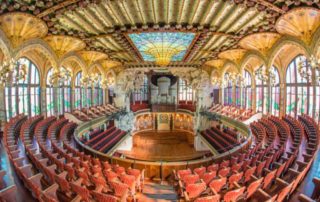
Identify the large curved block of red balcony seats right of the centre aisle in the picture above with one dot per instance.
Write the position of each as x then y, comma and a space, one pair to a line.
268, 171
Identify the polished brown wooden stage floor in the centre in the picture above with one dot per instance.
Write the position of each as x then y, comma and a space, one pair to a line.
163, 146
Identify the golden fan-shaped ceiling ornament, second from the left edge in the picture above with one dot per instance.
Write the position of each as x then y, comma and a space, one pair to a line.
64, 44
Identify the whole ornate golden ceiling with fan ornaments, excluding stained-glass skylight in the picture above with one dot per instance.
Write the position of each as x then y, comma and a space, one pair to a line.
100, 30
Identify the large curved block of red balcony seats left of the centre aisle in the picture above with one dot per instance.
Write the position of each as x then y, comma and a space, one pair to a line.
57, 171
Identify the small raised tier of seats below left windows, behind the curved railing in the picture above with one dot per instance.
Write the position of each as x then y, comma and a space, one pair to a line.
87, 114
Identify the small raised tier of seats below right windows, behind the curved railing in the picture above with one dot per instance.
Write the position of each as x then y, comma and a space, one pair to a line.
234, 112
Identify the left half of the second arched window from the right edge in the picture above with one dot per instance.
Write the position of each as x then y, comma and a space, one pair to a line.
262, 102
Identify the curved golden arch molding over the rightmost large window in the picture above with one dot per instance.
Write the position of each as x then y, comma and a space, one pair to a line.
280, 44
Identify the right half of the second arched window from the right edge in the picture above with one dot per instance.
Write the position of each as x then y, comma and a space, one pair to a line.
275, 93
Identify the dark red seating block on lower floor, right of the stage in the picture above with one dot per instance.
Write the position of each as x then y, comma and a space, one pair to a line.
220, 140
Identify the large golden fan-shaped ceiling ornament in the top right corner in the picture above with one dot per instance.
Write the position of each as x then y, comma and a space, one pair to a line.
299, 22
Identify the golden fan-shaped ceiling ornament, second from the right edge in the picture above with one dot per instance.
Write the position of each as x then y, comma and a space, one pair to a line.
261, 42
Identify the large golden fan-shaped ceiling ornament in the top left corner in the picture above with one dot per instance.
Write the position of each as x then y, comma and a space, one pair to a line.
20, 27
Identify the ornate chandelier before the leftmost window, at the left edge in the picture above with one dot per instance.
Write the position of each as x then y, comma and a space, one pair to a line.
12, 71
